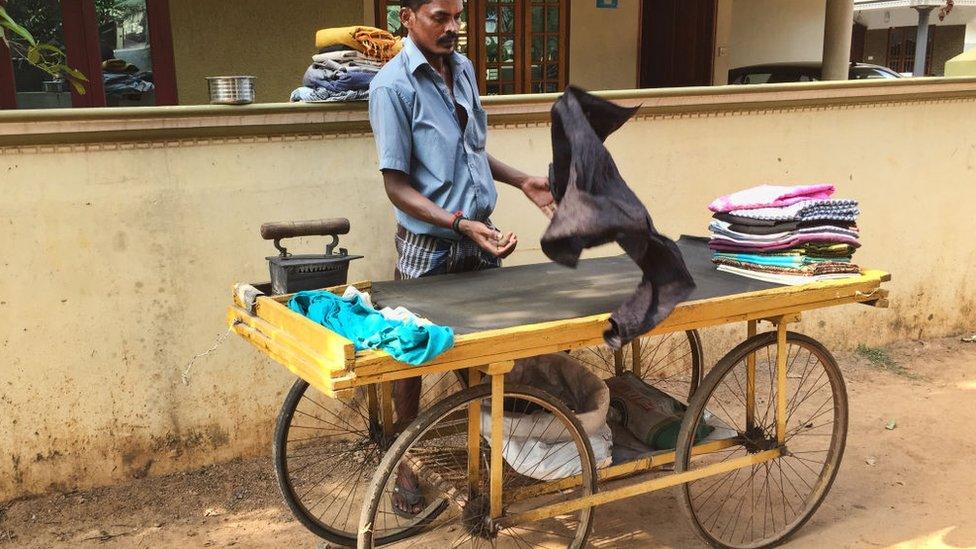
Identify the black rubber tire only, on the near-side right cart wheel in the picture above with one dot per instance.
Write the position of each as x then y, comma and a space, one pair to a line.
697, 407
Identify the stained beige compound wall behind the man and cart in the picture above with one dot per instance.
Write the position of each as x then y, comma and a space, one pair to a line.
118, 260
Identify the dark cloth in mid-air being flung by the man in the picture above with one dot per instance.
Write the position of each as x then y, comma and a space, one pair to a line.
595, 206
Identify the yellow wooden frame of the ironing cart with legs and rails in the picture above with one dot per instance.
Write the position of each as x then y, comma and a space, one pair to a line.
331, 364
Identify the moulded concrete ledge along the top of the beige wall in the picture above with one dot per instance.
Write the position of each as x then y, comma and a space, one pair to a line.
148, 124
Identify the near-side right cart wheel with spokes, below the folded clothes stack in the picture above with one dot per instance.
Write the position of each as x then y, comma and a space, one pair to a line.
762, 505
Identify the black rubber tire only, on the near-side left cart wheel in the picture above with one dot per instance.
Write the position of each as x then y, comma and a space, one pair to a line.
426, 419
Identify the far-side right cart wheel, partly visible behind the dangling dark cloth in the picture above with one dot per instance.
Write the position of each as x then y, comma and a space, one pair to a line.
671, 362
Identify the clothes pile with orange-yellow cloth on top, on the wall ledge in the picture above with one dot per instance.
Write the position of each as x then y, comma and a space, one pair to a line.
347, 61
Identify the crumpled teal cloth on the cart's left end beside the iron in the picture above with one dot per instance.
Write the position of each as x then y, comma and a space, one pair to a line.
360, 323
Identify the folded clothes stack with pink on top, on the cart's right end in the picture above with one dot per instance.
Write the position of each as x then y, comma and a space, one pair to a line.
785, 235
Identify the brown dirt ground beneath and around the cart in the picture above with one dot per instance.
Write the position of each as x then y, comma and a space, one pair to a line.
910, 486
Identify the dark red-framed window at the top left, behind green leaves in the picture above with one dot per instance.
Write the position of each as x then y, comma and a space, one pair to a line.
124, 48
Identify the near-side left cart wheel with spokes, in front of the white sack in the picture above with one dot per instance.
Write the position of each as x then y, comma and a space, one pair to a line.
435, 449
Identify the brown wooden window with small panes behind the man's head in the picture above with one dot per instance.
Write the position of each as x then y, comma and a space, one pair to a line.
517, 46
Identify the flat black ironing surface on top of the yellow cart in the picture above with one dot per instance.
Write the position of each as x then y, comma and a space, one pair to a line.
528, 294
